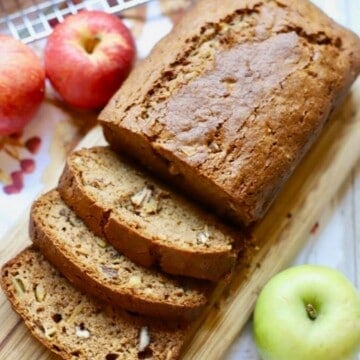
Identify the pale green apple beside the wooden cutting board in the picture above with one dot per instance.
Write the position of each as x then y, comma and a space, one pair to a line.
307, 313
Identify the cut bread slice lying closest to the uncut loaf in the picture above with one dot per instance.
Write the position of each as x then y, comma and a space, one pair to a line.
143, 219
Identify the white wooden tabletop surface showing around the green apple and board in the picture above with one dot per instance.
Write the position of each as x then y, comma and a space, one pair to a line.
336, 243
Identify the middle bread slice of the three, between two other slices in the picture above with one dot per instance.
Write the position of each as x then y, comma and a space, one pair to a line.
96, 267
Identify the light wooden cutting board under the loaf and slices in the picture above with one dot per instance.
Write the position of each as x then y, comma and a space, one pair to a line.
279, 237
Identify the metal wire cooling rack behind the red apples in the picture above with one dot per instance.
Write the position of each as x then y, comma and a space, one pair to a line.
29, 20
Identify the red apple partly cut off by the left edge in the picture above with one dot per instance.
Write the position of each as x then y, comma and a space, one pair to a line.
22, 82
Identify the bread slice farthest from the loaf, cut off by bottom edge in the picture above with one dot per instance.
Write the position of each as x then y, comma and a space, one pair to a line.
75, 326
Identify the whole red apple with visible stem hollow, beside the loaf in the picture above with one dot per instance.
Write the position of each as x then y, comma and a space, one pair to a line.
87, 58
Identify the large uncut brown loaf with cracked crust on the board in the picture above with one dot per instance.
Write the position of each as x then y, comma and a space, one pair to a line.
230, 101
